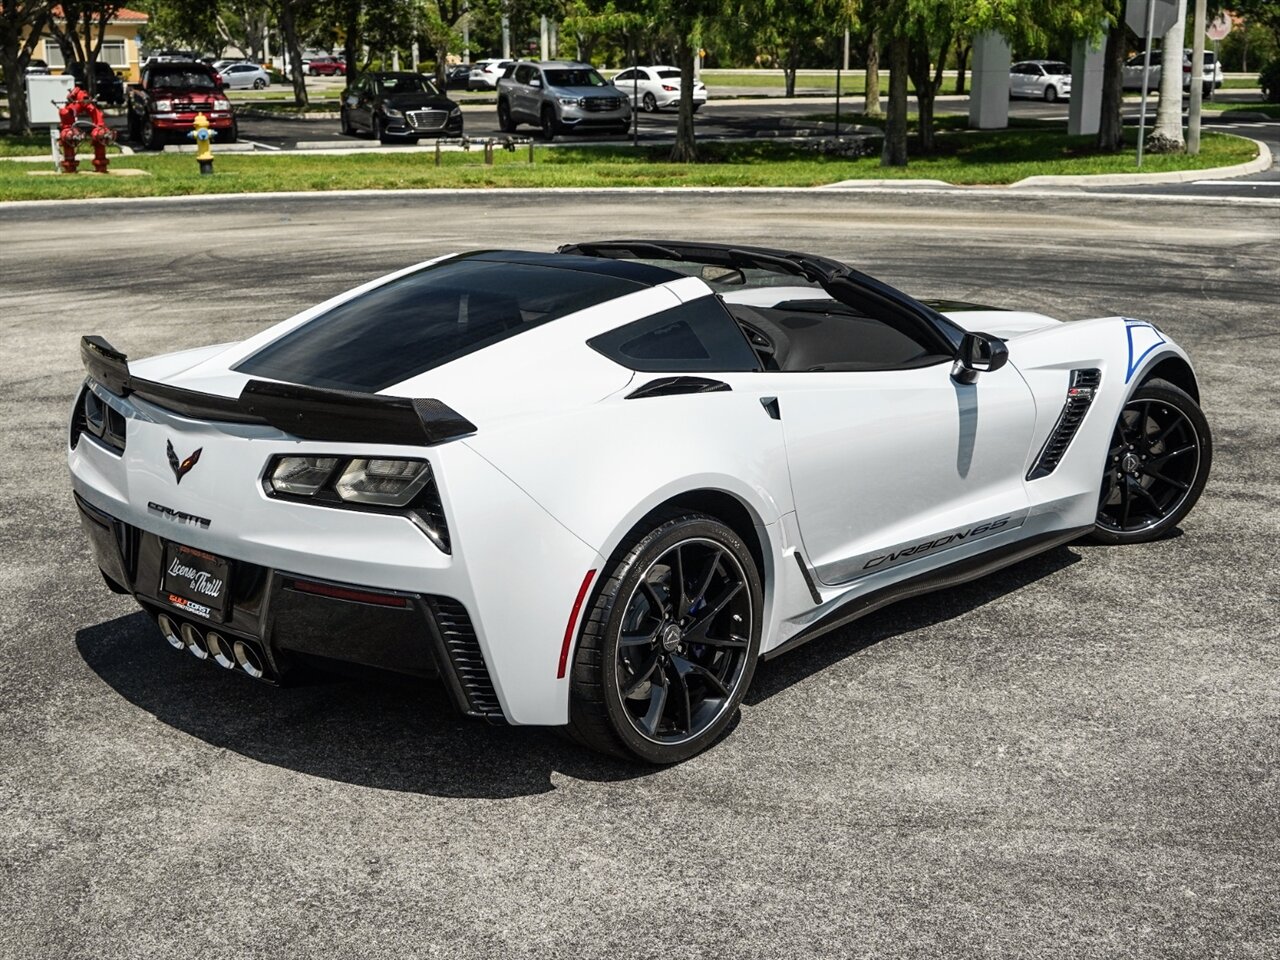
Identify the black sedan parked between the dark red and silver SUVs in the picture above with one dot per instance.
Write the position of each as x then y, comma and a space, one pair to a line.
399, 108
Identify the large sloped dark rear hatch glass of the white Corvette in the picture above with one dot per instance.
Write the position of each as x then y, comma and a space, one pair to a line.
427, 319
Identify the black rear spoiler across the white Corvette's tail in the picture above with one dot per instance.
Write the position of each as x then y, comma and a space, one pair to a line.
308, 413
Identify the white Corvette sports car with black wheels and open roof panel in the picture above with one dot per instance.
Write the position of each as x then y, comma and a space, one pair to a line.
593, 488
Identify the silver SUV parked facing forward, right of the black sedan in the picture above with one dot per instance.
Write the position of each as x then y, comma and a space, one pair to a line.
561, 97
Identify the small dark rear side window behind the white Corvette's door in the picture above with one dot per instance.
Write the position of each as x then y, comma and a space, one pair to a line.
698, 336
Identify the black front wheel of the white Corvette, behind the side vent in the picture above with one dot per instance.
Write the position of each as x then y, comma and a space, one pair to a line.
1160, 458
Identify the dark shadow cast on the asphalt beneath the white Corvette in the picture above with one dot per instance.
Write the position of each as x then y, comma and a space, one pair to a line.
406, 737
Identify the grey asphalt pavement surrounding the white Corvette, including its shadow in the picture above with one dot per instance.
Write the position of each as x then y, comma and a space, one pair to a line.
1076, 757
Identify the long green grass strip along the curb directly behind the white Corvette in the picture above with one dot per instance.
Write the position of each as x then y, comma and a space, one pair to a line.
994, 158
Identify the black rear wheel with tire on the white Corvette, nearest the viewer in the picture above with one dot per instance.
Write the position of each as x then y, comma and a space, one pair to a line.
670, 644
